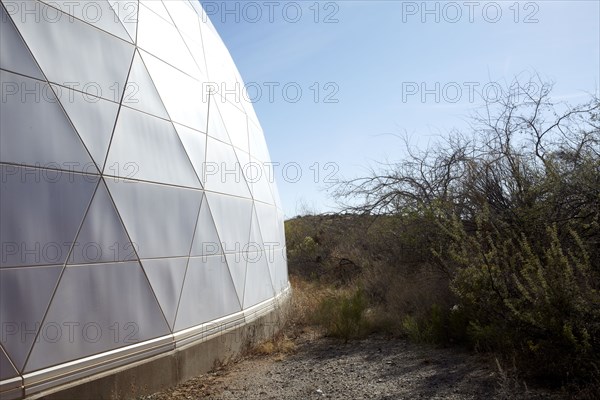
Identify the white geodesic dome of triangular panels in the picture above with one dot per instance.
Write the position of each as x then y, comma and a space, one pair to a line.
137, 210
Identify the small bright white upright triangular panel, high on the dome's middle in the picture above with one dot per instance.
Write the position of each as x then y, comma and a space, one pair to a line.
141, 93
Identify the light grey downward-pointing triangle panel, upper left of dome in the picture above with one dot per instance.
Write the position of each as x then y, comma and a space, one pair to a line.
94, 119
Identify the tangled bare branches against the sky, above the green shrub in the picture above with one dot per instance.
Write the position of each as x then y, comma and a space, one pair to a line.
516, 142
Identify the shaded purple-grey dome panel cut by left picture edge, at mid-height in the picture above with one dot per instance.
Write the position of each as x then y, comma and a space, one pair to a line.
40, 217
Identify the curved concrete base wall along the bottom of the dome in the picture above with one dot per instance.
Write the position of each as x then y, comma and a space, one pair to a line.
190, 356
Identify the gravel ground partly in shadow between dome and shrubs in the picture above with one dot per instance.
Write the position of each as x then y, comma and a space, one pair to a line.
374, 368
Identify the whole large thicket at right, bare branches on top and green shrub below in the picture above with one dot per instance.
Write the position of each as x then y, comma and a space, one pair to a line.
508, 215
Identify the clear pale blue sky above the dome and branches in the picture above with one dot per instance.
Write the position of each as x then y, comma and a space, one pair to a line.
371, 70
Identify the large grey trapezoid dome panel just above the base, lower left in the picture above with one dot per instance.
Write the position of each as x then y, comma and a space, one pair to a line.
114, 305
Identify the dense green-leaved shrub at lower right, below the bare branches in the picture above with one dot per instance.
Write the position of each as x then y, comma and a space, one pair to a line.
537, 297
